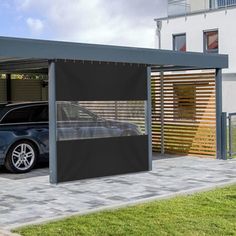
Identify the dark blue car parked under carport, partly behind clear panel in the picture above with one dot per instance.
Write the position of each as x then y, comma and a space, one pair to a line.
24, 131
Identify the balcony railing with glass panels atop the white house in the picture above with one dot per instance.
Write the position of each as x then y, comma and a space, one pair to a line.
184, 7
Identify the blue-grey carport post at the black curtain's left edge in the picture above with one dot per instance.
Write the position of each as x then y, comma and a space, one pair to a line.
52, 124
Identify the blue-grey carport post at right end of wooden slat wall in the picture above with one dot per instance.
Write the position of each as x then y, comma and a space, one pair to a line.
218, 113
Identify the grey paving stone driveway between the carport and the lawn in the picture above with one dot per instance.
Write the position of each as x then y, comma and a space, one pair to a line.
29, 197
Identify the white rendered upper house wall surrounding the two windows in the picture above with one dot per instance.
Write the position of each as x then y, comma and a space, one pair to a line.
194, 25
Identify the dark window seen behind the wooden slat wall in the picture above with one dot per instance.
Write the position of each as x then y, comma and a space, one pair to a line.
184, 101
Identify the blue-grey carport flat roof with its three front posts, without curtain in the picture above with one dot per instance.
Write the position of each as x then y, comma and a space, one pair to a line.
29, 55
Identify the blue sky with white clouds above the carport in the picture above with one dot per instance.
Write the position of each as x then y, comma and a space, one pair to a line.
113, 22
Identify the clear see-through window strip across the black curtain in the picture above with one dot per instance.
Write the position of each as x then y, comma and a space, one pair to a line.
99, 119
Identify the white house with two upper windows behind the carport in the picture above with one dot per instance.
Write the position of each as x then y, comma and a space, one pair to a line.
204, 26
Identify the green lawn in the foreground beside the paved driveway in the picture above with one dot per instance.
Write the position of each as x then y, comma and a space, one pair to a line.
210, 213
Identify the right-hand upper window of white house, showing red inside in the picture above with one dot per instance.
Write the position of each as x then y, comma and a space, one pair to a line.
211, 41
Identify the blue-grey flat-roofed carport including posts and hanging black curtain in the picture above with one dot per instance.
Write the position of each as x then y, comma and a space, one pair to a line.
97, 74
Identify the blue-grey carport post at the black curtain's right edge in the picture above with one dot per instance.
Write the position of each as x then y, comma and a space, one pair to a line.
149, 117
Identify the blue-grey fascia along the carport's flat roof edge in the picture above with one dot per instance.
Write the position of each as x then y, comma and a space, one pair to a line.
20, 48
